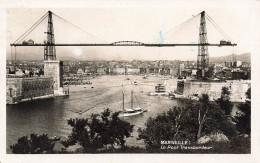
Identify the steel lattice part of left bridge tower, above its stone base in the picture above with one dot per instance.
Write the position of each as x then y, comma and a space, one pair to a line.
49, 50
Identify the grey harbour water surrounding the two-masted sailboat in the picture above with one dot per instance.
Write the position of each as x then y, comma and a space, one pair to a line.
50, 115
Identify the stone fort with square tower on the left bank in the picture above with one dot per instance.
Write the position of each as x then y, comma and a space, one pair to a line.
21, 87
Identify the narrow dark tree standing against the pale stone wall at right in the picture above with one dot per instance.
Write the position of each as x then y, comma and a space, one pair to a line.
224, 101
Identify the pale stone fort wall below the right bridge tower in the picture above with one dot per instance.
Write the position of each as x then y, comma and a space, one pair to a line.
213, 89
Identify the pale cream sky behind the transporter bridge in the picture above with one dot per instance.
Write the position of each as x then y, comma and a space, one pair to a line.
148, 24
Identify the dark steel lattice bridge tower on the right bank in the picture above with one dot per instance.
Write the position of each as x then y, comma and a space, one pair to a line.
203, 54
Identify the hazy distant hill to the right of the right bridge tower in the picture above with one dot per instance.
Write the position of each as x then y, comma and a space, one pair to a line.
245, 57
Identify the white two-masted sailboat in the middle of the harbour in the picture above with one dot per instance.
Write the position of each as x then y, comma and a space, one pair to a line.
126, 112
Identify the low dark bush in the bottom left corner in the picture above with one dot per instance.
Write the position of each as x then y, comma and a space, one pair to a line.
36, 145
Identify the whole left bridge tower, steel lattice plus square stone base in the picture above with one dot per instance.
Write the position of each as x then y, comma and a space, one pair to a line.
52, 67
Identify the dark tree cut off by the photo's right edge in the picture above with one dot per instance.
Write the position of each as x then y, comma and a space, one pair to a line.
243, 116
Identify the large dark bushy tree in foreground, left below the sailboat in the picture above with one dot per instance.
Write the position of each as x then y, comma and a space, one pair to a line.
96, 133
